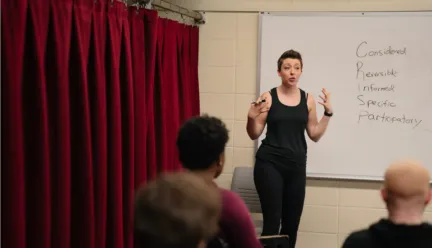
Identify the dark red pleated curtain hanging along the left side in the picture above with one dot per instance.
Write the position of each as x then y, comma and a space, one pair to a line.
92, 96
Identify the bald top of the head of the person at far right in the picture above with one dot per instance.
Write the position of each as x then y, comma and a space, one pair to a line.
407, 179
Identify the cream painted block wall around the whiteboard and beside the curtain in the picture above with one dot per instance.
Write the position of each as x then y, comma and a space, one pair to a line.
227, 72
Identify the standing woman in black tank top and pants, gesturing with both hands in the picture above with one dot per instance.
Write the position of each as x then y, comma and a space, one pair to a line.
280, 167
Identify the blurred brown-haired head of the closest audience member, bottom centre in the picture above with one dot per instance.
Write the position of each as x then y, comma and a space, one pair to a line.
176, 210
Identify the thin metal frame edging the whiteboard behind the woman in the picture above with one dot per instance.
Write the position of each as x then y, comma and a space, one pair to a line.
332, 14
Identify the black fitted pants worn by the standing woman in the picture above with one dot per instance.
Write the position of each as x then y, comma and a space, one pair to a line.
281, 191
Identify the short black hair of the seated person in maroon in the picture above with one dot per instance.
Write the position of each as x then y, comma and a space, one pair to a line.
200, 142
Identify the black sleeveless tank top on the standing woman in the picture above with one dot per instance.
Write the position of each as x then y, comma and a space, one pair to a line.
285, 142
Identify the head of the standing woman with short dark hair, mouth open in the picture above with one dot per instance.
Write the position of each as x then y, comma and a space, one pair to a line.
290, 67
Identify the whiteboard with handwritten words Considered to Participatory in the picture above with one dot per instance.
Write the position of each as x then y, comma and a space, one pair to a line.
378, 67
